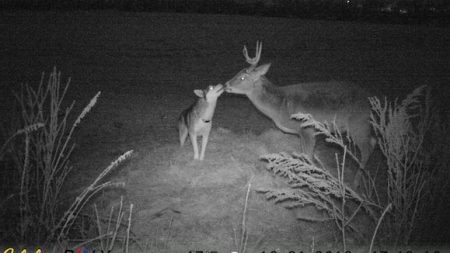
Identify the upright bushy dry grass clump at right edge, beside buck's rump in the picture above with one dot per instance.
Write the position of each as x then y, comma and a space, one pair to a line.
412, 140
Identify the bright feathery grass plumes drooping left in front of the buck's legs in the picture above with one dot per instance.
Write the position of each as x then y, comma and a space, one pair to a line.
312, 184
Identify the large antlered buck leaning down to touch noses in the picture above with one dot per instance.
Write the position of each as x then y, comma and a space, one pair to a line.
330, 101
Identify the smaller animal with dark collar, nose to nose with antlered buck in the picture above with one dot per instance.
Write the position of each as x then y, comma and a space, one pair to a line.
197, 119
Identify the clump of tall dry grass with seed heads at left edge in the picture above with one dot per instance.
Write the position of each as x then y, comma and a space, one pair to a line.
41, 165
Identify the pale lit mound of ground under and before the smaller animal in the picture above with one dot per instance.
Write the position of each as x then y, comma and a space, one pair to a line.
192, 205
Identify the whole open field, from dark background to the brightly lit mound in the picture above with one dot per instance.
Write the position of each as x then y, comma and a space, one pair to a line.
147, 64
